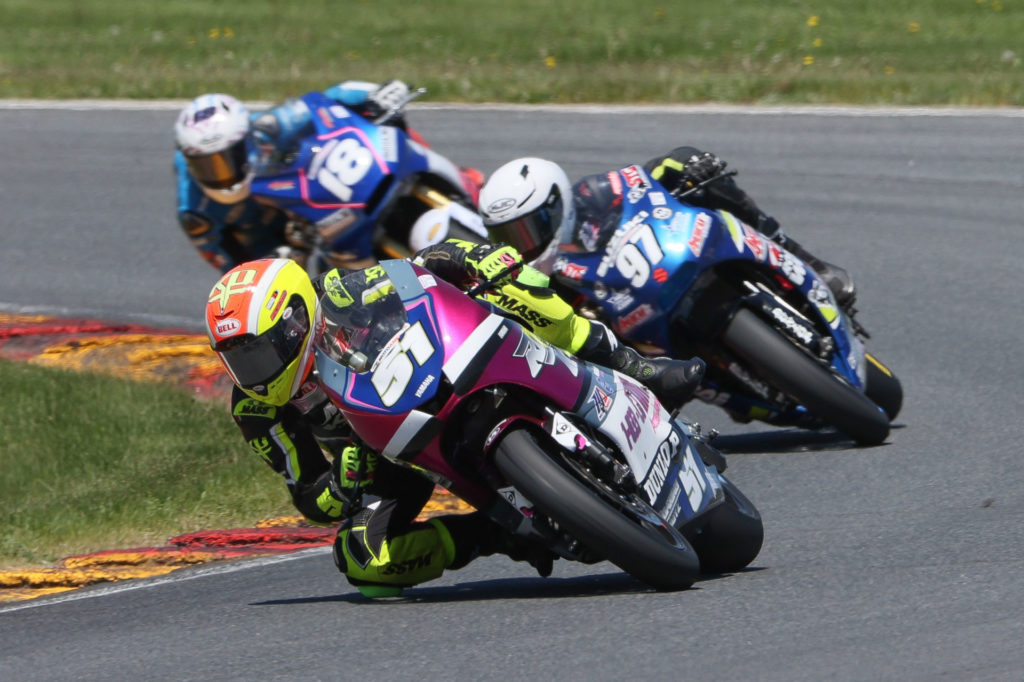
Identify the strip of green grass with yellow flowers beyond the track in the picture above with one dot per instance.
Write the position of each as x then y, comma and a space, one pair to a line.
966, 53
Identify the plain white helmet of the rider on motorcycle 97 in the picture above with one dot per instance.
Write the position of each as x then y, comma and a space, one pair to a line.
528, 203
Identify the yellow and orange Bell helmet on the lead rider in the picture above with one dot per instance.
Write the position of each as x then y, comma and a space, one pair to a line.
259, 320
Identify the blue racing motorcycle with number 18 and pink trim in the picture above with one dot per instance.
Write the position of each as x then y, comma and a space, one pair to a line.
359, 191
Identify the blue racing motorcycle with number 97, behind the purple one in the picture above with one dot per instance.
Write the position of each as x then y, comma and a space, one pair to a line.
684, 281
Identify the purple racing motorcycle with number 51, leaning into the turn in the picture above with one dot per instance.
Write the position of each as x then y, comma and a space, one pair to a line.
561, 452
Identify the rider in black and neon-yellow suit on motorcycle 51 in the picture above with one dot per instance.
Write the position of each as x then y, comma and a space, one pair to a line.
261, 318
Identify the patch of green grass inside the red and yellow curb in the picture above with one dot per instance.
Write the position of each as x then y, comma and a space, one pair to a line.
91, 462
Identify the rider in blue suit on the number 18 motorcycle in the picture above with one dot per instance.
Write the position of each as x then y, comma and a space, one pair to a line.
223, 147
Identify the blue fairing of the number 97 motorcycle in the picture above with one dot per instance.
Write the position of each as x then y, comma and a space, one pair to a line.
655, 261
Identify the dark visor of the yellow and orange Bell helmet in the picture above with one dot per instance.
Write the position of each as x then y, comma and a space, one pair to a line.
257, 361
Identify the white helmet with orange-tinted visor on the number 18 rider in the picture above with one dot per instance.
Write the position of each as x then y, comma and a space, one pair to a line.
212, 133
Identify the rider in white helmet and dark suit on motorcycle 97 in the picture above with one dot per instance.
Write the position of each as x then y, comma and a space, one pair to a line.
530, 204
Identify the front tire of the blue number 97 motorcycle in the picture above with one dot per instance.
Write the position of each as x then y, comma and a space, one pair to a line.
789, 369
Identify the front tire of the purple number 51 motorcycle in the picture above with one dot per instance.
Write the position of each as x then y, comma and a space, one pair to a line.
659, 557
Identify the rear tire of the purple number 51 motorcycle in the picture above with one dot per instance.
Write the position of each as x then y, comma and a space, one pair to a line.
730, 537
